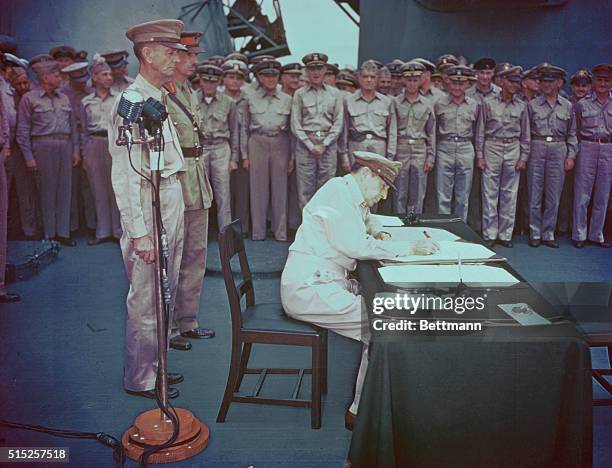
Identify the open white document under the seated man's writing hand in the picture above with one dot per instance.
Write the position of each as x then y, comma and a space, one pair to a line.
450, 253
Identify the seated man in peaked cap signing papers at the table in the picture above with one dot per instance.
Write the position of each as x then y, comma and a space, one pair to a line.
338, 230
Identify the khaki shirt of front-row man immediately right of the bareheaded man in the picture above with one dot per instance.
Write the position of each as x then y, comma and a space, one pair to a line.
416, 120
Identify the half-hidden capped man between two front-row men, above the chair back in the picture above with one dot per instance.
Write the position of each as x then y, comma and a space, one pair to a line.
235, 73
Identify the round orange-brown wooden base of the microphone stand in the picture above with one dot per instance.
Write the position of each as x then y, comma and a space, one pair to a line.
153, 428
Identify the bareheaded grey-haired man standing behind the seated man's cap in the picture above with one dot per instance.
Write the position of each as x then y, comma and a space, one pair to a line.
370, 122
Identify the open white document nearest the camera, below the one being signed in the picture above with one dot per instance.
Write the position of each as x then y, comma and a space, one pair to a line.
471, 275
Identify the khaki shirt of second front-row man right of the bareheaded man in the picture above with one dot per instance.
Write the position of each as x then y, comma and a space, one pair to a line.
456, 120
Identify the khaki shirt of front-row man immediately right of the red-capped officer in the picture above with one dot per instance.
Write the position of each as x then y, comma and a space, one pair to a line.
219, 120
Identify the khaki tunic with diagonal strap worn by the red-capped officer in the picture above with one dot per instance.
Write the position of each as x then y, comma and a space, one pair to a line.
197, 191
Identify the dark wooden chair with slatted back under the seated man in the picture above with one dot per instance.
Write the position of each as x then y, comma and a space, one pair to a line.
265, 324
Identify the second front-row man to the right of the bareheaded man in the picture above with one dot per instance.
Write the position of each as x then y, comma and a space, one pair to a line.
456, 116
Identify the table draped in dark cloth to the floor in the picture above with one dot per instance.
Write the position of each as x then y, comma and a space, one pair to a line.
507, 396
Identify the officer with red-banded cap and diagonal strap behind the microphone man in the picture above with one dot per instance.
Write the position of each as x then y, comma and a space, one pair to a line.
197, 195
